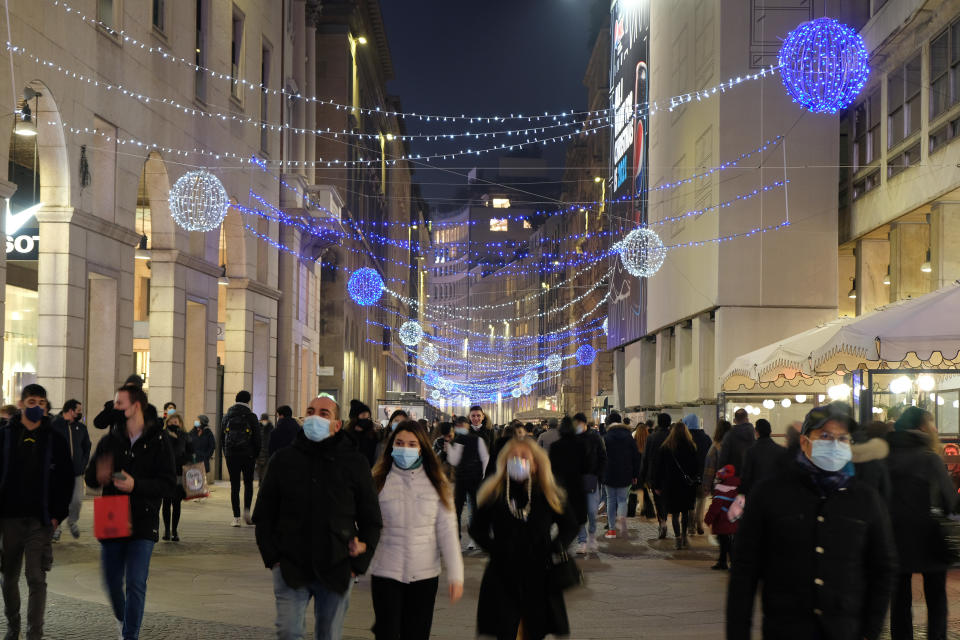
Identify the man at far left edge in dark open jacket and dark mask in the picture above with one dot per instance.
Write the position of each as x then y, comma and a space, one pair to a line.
36, 483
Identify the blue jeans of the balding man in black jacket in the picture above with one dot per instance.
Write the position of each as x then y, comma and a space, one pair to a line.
329, 609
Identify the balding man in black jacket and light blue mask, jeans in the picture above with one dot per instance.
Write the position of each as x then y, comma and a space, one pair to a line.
325, 540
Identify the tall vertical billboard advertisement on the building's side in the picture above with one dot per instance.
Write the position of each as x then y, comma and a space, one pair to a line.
627, 182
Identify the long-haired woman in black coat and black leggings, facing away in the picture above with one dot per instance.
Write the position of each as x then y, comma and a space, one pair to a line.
676, 478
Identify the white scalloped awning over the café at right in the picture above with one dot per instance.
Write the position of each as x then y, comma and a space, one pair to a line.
922, 331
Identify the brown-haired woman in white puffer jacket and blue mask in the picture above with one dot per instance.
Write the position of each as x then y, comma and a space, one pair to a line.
419, 526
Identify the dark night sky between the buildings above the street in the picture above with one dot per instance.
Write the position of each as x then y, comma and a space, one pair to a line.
492, 57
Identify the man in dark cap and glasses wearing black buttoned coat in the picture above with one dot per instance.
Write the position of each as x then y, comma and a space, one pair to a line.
818, 540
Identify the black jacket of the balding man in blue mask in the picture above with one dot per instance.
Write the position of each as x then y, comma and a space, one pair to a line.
314, 499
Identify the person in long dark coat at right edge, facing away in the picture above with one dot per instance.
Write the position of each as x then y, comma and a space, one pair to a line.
919, 481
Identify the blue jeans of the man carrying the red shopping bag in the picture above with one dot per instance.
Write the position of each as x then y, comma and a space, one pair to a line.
126, 560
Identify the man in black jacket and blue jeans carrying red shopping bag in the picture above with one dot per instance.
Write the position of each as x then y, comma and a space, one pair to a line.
135, 458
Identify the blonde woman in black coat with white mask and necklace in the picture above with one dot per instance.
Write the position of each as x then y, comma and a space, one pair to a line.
518, 507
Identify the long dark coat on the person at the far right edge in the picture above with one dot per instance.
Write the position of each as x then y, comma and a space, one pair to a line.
917, 476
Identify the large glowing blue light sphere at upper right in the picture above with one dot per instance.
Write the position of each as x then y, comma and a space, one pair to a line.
823, 65
